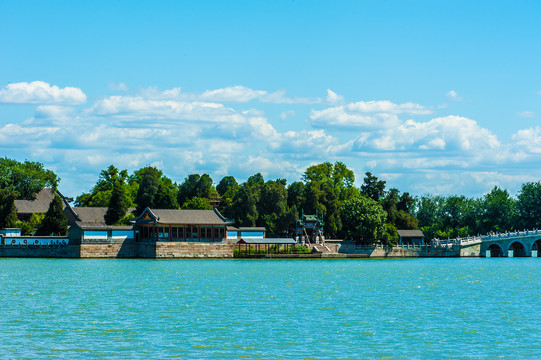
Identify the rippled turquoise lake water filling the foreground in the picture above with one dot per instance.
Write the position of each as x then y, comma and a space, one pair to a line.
313, 309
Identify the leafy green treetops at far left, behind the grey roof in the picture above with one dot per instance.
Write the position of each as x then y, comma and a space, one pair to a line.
26, 179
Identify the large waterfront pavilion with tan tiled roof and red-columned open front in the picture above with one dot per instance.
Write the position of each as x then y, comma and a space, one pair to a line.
181, 225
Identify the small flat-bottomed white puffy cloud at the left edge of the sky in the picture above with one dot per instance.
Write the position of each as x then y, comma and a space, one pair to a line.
39, 92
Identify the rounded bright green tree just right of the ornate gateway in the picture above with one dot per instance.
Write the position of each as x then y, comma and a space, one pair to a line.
363, 219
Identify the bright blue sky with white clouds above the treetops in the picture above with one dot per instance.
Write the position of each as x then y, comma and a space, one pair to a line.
431, 96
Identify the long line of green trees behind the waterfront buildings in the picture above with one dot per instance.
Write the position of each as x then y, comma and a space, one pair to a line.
365, 214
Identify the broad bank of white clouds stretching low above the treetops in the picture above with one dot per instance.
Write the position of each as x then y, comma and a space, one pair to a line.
184, 133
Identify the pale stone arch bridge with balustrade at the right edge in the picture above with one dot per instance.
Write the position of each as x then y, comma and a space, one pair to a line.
508, 244
